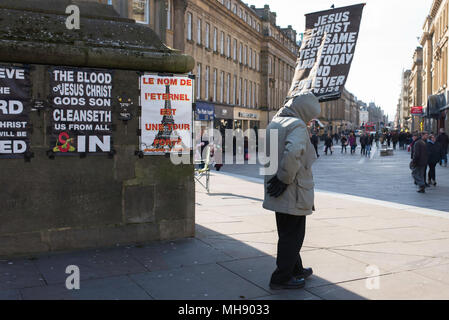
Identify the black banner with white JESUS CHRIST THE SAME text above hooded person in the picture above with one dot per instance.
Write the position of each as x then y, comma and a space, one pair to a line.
327, 52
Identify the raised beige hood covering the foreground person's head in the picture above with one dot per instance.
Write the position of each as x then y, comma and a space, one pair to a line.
304, 106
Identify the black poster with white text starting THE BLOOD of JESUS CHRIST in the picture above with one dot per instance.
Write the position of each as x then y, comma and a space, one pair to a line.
81, 116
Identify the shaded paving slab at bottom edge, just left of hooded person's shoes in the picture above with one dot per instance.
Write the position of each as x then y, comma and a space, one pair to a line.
202, 282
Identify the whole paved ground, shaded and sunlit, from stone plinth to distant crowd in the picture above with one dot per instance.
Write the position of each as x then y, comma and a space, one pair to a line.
359, 247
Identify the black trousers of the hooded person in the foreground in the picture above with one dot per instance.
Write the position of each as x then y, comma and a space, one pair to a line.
291, 232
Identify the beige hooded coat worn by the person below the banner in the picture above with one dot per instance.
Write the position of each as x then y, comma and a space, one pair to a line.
296, 155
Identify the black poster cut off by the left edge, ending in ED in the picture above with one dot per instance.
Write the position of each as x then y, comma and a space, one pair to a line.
15, 101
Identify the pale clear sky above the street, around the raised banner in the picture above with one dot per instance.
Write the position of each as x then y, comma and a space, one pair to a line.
387, 40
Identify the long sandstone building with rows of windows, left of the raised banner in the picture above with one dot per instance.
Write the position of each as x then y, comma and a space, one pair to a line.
244, 61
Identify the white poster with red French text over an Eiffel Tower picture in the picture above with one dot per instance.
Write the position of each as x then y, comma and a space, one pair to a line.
166, 116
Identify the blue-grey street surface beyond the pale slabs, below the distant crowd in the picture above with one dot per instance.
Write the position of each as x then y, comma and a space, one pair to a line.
382, 178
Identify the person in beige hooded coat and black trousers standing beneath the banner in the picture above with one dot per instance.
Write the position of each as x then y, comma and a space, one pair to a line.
290, 192
